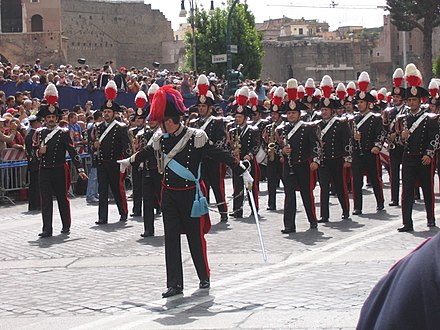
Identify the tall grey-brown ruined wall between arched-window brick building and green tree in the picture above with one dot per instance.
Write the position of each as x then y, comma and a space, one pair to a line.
129, 33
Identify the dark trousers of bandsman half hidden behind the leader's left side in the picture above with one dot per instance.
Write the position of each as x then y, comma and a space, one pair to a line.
151, 191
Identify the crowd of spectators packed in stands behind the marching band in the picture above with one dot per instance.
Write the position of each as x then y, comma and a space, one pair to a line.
16, 109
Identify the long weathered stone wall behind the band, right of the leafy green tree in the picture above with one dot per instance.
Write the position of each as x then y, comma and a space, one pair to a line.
343, 61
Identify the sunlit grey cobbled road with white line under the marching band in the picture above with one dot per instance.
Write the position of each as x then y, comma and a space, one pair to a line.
110, 278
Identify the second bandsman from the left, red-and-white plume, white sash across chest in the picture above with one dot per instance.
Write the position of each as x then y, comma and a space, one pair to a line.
112, 143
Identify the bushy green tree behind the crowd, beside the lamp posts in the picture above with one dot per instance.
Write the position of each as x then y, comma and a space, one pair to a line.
210, 37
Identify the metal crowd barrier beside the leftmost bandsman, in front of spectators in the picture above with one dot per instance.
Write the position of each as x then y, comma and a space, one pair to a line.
14, 175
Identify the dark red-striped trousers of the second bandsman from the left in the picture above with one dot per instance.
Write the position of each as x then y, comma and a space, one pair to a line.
109, 175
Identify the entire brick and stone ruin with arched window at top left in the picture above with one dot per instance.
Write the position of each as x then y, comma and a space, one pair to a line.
61, 31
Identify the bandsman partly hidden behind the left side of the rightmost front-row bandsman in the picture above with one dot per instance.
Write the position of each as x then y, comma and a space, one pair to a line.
390, 117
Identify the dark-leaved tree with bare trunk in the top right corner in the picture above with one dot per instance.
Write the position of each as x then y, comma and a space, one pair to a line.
423, 15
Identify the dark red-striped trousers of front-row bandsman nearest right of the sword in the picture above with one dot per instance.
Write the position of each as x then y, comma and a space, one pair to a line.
300, 178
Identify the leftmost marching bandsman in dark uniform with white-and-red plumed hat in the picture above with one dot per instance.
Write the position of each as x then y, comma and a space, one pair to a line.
50, 144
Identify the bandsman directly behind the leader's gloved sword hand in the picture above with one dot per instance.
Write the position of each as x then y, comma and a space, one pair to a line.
244, 141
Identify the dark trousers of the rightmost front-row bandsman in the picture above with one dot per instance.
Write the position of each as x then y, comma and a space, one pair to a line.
413, 171
